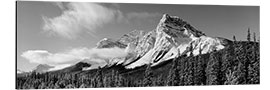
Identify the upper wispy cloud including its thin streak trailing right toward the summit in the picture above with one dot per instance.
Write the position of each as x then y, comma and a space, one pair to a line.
78, 18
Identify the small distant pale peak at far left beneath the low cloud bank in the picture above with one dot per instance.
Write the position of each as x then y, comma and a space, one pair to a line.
41, 68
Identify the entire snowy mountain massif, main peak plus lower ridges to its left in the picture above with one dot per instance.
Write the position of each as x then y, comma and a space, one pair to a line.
172, 37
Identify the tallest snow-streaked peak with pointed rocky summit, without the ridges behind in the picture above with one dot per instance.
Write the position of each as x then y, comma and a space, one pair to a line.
173, 38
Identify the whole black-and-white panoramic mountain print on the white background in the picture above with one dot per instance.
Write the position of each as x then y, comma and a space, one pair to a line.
94, 45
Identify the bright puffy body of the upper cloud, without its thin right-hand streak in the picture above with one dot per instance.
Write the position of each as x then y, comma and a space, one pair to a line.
78, 18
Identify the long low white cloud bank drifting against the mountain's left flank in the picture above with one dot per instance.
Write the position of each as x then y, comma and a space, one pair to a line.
73, 56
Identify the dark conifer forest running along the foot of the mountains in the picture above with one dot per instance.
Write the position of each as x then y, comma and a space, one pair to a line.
238, 63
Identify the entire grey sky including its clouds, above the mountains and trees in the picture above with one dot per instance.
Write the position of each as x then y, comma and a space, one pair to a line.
62, 33
